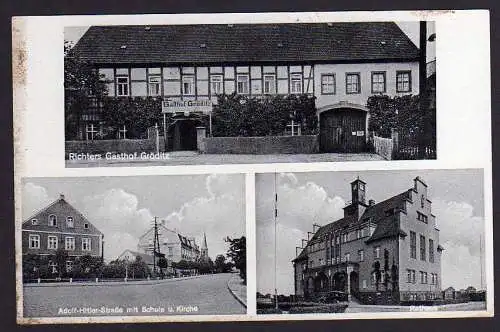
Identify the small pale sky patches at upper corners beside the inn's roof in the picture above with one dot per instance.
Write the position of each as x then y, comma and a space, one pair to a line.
411, 29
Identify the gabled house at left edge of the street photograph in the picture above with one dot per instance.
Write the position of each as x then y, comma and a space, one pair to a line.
61, 226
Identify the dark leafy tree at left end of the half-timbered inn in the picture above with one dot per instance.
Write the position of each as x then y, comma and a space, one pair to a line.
83, 87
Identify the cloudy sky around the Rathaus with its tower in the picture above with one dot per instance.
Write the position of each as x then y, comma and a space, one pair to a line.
305, 198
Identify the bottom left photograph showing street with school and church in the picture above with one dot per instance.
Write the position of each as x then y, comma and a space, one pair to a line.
132, 246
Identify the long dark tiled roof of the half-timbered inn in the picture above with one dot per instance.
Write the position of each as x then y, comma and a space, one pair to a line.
217, 43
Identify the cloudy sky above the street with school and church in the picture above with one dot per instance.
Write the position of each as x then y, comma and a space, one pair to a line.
123, 208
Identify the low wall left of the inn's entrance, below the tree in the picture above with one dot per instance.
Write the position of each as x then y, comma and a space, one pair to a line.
114, 146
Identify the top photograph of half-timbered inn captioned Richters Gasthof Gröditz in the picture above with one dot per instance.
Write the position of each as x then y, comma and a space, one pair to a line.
210, 94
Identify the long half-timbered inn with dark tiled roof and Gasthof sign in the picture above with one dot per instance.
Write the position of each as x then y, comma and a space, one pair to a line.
340, 64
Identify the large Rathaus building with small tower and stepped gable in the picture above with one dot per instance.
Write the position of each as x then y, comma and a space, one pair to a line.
385, 252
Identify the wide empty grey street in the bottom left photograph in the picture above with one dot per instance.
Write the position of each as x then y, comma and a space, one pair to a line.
201, 295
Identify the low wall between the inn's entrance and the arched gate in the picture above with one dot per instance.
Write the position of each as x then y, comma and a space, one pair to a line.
262, 145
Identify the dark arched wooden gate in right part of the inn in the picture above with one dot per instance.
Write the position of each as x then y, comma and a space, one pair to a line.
342, 130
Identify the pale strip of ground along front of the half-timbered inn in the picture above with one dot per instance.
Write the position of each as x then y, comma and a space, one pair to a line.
194, 158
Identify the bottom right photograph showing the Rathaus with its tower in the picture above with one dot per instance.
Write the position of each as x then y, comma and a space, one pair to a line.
371, 241
